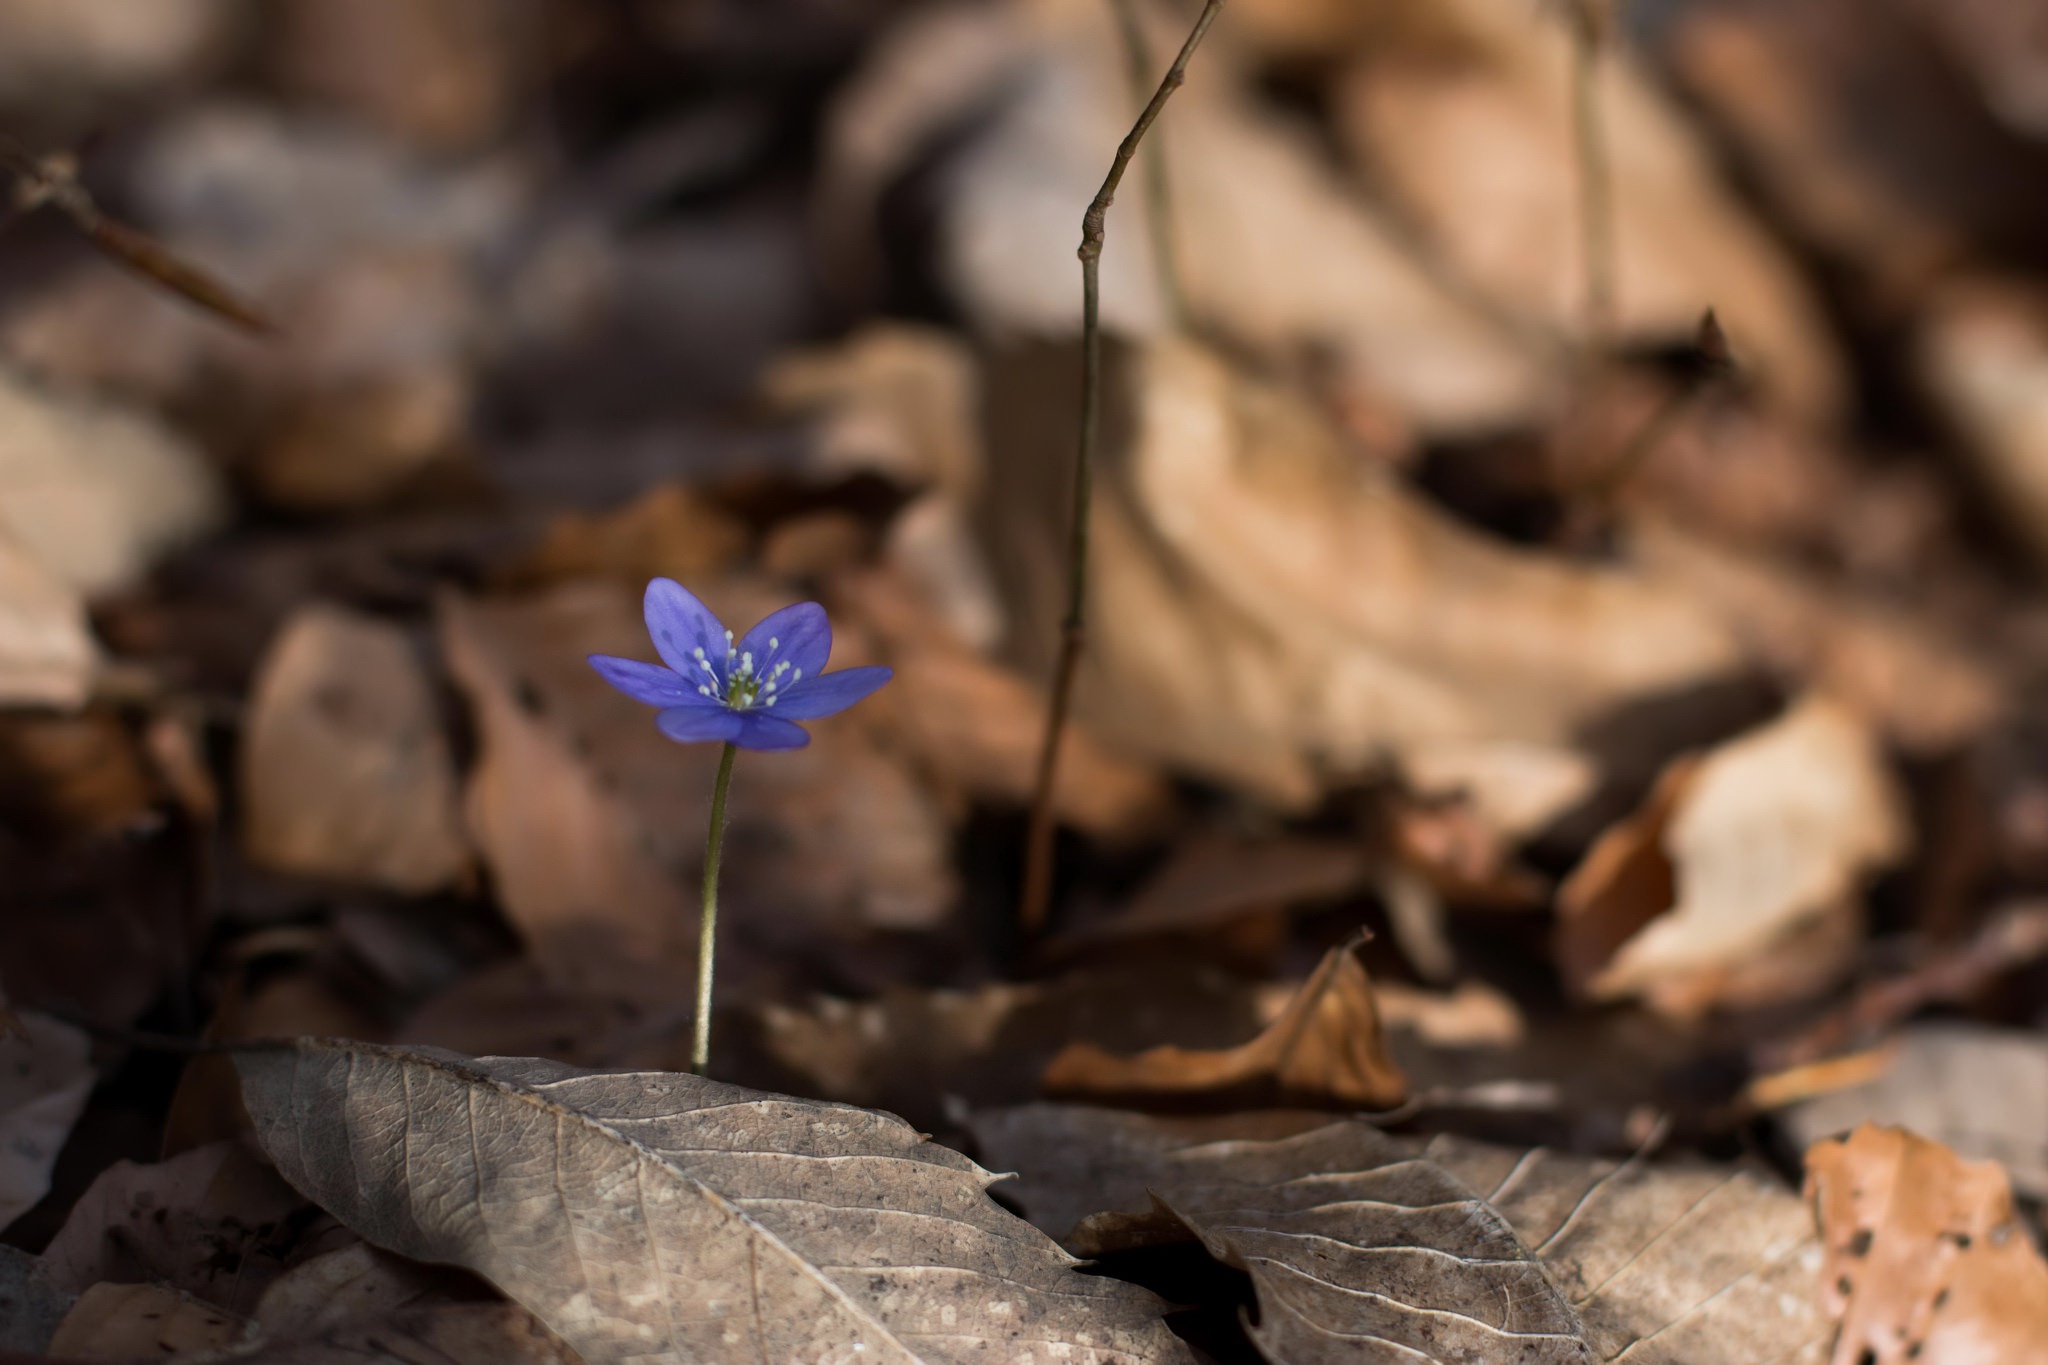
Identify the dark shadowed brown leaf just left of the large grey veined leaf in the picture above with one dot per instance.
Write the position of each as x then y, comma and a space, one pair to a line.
210, 1223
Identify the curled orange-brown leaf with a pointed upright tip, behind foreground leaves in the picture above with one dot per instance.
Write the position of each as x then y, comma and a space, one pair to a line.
1326, 1049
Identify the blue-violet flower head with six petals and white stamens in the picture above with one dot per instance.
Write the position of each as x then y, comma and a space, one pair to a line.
749, 695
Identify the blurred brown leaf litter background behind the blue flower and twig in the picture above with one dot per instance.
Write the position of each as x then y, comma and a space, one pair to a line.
1662, 693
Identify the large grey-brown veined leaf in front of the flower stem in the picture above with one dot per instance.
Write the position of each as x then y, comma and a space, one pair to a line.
652, 1217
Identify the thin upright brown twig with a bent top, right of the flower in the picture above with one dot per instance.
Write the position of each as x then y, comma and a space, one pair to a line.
1074, 629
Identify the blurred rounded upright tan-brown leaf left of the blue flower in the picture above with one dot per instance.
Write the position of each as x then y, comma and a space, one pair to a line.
345, 766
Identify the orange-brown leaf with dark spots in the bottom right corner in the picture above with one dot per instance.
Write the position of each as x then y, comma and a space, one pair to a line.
1926, 1256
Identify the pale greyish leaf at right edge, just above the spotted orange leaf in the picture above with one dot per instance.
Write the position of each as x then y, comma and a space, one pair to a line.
1975, 1090
